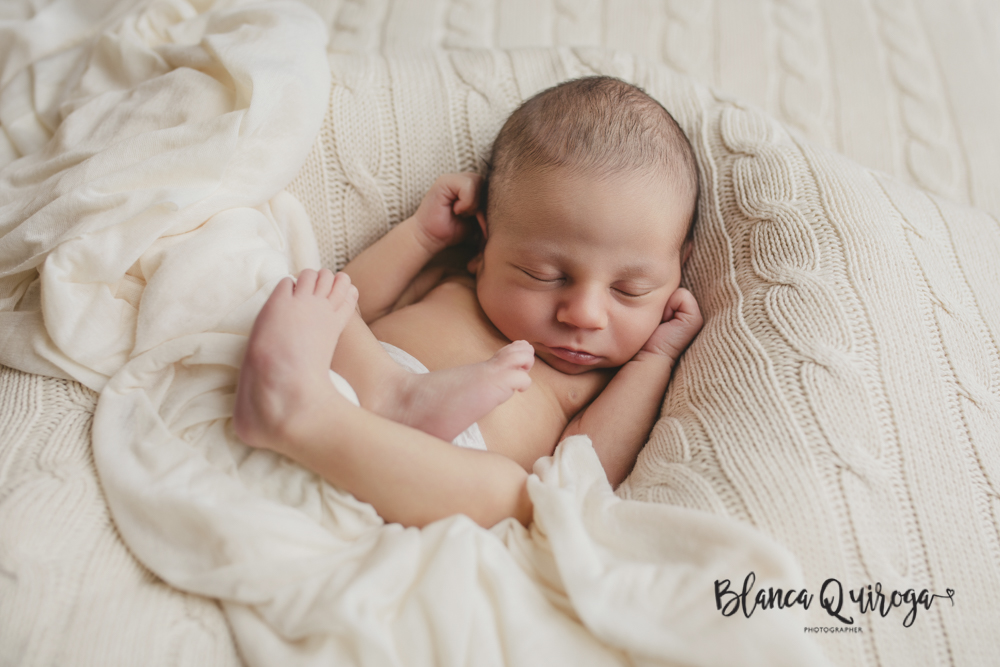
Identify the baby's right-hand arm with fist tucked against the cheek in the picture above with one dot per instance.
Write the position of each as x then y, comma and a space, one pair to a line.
619, 420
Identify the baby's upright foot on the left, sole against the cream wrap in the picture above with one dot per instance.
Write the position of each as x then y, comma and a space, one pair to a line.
285, 368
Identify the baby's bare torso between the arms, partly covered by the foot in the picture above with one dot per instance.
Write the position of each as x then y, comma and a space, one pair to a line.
447, 328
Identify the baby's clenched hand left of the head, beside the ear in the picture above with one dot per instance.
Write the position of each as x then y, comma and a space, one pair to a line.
440, 215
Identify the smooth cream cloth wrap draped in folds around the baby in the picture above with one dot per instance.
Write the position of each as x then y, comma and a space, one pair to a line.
138, 245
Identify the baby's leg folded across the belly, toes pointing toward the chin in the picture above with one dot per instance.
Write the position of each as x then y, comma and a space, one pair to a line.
442, 403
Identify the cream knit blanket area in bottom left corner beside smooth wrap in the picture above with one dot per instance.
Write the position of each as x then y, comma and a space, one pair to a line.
70, 591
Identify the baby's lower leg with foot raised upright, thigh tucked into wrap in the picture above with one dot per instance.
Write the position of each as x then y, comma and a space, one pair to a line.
286, 402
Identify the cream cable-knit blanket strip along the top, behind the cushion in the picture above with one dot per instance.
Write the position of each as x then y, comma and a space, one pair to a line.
908, 87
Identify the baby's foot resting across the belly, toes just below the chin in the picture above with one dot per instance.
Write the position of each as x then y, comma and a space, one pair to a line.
445, 403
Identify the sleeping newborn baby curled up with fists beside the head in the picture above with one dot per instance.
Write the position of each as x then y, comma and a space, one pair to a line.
569, 319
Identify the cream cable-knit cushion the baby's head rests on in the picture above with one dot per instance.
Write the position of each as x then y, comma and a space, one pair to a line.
844, 396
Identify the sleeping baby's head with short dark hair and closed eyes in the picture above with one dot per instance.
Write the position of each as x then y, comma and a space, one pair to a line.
587, 220
